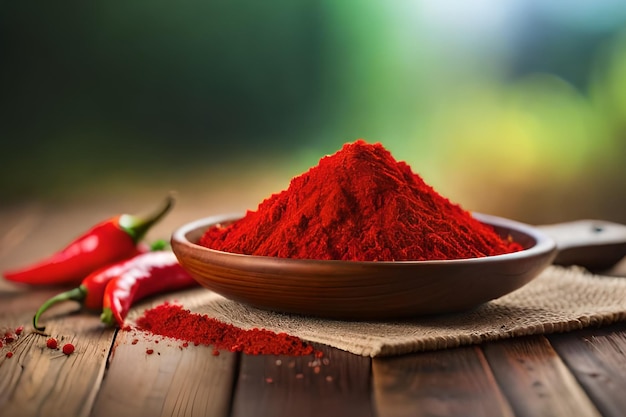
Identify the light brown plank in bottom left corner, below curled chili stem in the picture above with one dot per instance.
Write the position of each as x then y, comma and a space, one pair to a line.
39, 381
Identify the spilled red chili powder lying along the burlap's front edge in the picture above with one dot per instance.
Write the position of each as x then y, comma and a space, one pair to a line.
173, 321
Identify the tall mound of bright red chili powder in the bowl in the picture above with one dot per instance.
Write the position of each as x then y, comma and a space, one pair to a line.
359, 204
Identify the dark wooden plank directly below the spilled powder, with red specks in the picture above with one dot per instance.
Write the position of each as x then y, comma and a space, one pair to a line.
338, 384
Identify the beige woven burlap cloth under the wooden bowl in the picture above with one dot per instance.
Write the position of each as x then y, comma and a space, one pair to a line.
558, 300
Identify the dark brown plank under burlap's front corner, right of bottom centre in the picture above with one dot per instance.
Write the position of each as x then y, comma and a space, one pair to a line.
453, 382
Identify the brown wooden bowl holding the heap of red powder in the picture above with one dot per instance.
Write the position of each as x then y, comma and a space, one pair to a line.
351, 290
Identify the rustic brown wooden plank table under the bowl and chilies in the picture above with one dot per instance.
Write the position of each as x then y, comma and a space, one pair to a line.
582, 373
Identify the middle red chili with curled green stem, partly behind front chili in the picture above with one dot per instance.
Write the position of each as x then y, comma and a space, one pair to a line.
91, 290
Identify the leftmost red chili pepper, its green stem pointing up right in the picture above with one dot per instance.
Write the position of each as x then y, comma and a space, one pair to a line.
110, 241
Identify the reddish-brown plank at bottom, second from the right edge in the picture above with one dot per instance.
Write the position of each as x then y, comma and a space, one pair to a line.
535, 380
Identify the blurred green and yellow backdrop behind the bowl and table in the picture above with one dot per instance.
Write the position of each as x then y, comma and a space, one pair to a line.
515, 108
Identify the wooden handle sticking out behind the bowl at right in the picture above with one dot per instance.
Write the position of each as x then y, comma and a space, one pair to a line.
594, 244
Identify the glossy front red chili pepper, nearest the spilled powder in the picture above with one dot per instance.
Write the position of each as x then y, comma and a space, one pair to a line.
152, 273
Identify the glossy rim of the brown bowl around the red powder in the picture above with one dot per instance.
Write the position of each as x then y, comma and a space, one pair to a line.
543, 244
